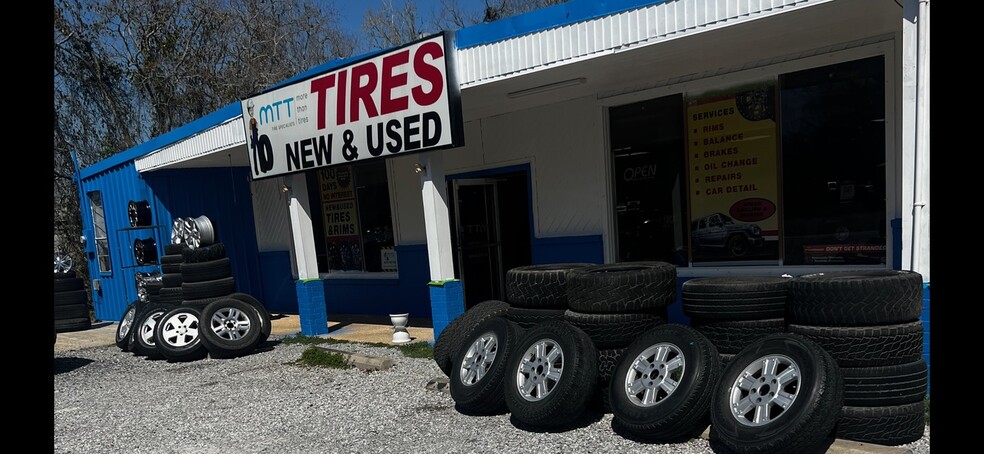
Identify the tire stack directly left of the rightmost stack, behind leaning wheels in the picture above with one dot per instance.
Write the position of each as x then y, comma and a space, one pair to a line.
732, 312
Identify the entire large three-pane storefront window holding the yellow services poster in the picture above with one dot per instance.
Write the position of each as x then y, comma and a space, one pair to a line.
788, 170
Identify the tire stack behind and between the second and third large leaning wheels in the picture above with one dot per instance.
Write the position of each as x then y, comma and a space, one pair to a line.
614, 304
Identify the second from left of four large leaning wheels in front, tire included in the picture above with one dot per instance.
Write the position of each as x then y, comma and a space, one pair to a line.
552, 390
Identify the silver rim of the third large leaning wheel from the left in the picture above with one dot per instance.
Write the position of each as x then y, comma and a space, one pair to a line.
655, 374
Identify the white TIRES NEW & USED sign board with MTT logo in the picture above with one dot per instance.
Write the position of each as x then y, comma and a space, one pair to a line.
405, 100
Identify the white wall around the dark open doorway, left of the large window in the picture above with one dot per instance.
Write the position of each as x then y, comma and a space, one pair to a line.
564, 147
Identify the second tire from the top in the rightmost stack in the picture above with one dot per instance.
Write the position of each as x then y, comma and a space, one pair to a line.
865, 346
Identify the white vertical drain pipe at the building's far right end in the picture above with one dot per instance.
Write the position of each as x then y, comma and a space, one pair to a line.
920, 194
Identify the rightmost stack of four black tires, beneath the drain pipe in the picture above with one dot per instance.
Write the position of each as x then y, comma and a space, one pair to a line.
869, 323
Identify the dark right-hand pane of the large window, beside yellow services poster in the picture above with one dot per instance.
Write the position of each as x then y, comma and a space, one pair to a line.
833, 153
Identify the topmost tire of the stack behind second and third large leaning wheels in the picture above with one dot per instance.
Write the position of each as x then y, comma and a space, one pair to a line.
621, 287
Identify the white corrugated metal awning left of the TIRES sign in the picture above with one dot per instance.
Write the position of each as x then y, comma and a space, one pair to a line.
208, 143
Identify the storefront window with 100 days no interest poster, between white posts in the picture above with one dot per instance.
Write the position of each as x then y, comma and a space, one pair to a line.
355, 220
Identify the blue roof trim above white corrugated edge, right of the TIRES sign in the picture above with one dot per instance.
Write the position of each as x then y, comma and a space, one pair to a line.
543, 19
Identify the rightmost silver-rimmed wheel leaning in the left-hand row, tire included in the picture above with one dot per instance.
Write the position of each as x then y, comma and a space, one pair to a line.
231, 328
